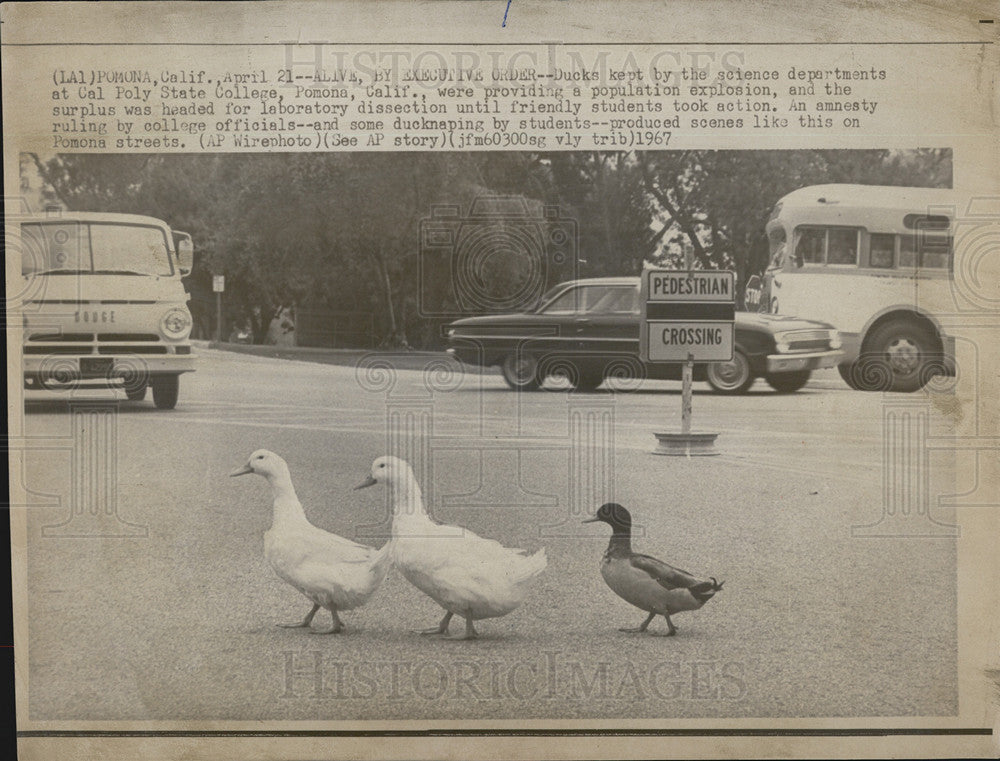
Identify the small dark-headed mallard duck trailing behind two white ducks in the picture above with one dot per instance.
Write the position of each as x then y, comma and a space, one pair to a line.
644, 581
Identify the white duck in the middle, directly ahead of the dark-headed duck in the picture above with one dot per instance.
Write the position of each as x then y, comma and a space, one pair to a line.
465, 574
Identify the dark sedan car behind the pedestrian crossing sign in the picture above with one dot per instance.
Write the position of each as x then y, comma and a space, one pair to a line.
588, 330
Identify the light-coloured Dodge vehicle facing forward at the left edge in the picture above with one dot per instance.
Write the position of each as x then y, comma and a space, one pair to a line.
103, 303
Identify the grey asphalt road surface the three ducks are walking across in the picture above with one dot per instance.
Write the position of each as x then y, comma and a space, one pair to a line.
169, 611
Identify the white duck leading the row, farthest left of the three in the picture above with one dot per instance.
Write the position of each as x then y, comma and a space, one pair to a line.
335, 573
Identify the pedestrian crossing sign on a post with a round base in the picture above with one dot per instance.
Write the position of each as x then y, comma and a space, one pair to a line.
687, 316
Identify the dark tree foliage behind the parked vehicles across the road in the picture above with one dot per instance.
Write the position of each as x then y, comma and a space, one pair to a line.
340, 233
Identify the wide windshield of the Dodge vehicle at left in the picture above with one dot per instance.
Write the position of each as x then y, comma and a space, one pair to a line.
99, 248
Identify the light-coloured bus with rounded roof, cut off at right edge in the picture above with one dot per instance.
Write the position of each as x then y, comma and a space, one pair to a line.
877, 262
